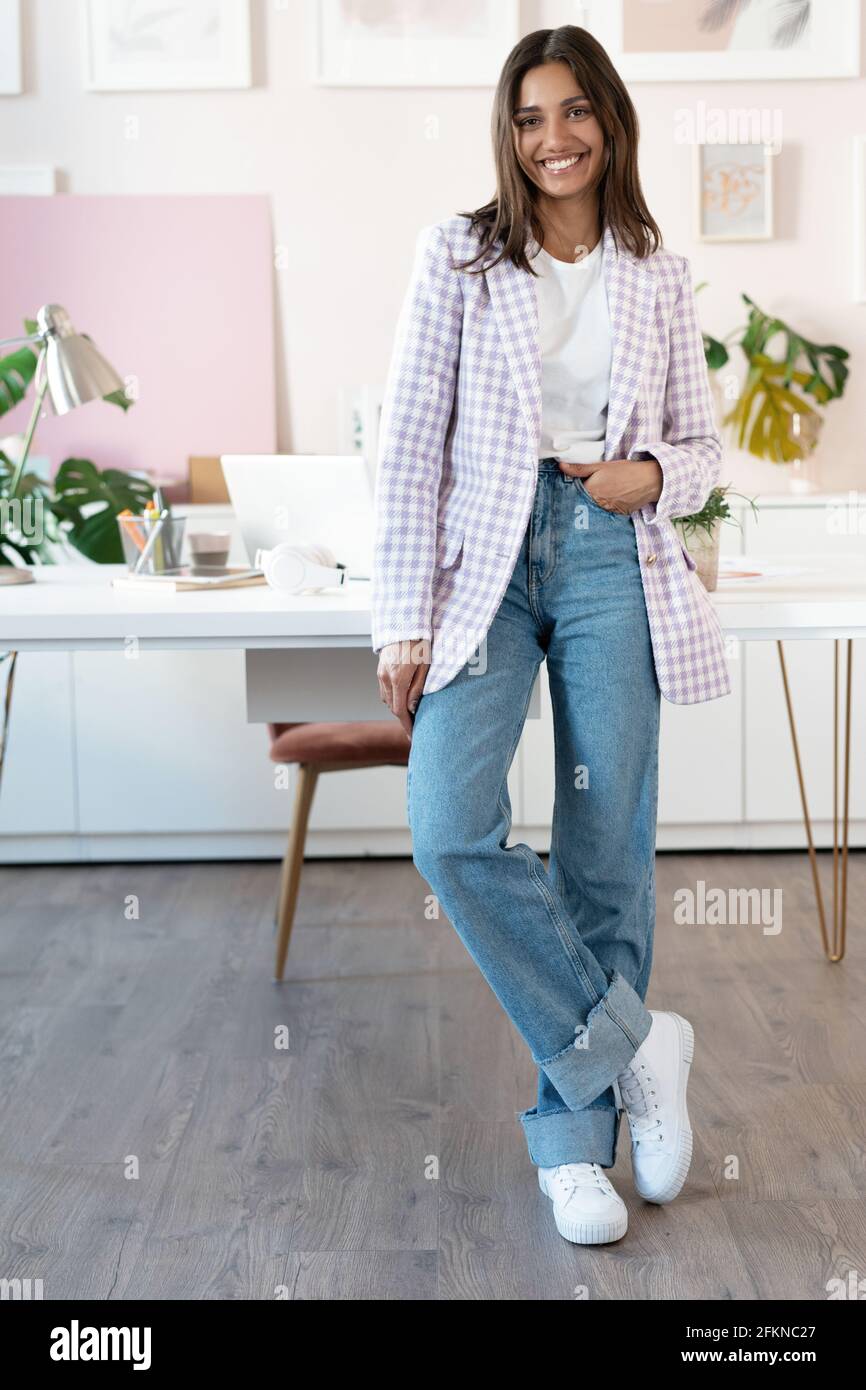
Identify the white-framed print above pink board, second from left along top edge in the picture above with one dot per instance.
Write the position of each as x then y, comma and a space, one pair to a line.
147, 47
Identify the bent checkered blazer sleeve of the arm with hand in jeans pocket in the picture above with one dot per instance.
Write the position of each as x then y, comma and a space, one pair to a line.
690, 454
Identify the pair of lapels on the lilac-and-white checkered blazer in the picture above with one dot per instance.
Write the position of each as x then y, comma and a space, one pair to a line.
632, 295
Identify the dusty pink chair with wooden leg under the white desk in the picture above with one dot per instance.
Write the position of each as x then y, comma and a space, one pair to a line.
323, 749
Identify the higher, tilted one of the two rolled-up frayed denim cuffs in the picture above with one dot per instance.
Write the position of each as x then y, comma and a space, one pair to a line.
603, 1049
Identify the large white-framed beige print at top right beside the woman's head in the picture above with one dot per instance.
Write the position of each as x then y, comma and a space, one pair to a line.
673, 41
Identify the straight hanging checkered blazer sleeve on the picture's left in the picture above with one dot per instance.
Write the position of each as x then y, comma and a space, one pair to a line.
416, 414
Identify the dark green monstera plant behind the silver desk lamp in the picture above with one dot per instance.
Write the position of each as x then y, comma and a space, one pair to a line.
79, 508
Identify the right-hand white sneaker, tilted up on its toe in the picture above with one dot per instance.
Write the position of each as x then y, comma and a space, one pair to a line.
653, 1089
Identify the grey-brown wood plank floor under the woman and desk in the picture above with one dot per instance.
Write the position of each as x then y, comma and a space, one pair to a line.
179, 1127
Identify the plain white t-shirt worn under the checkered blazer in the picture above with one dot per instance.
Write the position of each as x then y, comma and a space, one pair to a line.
576, 350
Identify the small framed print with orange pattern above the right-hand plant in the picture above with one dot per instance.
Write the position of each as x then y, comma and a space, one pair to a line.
733, 193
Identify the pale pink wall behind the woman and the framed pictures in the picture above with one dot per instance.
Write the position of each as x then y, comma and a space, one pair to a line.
354, 176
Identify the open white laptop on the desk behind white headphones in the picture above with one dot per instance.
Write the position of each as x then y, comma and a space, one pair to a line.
305, 500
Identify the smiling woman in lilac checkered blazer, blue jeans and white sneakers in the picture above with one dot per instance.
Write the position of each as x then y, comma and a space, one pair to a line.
547, 415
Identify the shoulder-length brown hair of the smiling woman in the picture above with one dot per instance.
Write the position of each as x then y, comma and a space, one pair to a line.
511, 218
